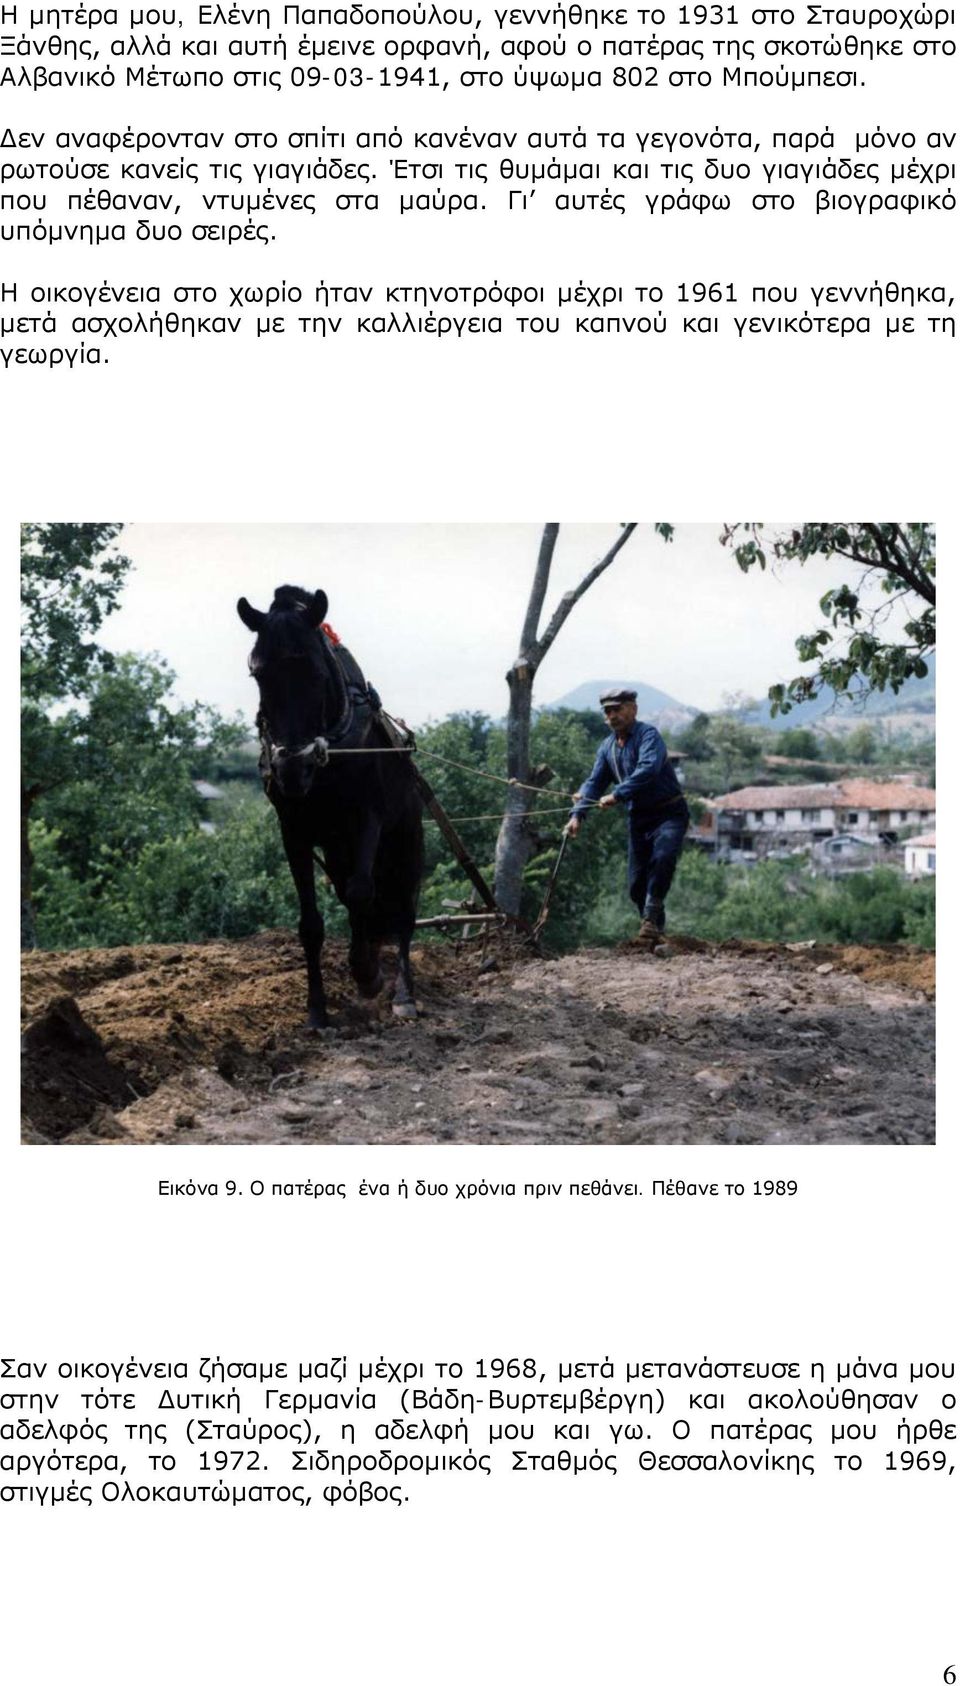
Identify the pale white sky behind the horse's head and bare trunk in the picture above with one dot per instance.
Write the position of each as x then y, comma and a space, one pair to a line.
434, 613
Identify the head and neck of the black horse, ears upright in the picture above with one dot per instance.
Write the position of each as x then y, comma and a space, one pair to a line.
303, 694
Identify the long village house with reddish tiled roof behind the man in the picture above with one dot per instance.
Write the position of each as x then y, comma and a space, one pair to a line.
780, 817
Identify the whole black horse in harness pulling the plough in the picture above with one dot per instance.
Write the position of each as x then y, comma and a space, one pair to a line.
362, 812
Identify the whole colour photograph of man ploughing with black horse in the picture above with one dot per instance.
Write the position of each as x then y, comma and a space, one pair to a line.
615, 834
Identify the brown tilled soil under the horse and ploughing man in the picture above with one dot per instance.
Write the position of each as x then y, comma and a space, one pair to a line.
701, 1044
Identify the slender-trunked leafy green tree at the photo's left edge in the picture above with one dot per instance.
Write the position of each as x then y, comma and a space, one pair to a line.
72, 576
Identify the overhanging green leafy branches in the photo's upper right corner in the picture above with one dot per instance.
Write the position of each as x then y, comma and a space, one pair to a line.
888, 564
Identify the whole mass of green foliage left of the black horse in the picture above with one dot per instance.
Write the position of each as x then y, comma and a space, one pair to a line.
109, 758
